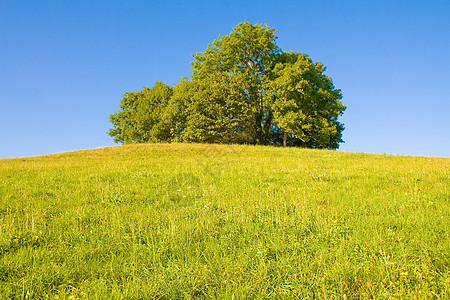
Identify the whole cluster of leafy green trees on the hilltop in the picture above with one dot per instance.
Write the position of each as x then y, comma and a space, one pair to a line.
243, 89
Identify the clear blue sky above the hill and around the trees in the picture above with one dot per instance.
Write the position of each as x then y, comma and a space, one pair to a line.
64, 65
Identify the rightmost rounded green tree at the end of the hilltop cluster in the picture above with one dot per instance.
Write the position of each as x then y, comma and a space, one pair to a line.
306, 104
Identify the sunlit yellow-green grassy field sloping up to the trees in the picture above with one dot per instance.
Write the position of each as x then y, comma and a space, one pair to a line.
229, 222
